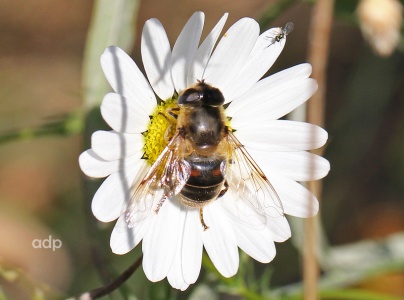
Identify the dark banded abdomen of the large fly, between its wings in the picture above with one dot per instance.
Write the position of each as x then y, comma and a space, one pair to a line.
205, 181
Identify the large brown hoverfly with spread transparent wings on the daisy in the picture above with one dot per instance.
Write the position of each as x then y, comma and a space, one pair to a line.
201, 162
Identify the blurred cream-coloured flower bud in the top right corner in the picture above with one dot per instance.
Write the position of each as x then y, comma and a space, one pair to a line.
380, 22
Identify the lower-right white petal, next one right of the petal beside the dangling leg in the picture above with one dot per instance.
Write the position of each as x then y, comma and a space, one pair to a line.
256, 243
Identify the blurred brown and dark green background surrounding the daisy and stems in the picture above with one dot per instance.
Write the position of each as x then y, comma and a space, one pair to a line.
41, 186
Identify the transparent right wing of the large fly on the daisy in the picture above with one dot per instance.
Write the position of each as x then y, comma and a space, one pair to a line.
249, 182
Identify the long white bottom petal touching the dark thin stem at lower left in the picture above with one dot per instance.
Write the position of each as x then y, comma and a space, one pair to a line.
160, 242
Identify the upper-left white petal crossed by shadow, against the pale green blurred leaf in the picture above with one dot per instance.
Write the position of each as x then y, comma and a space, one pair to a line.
126, 79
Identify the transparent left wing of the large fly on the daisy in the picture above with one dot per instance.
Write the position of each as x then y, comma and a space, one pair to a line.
165, 179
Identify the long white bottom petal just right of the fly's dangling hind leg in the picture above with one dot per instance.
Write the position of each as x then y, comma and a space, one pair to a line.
219, 240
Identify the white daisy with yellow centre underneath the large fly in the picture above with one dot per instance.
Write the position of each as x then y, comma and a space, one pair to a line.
173, 239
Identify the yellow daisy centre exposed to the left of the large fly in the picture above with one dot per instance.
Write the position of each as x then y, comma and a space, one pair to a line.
157, 136
